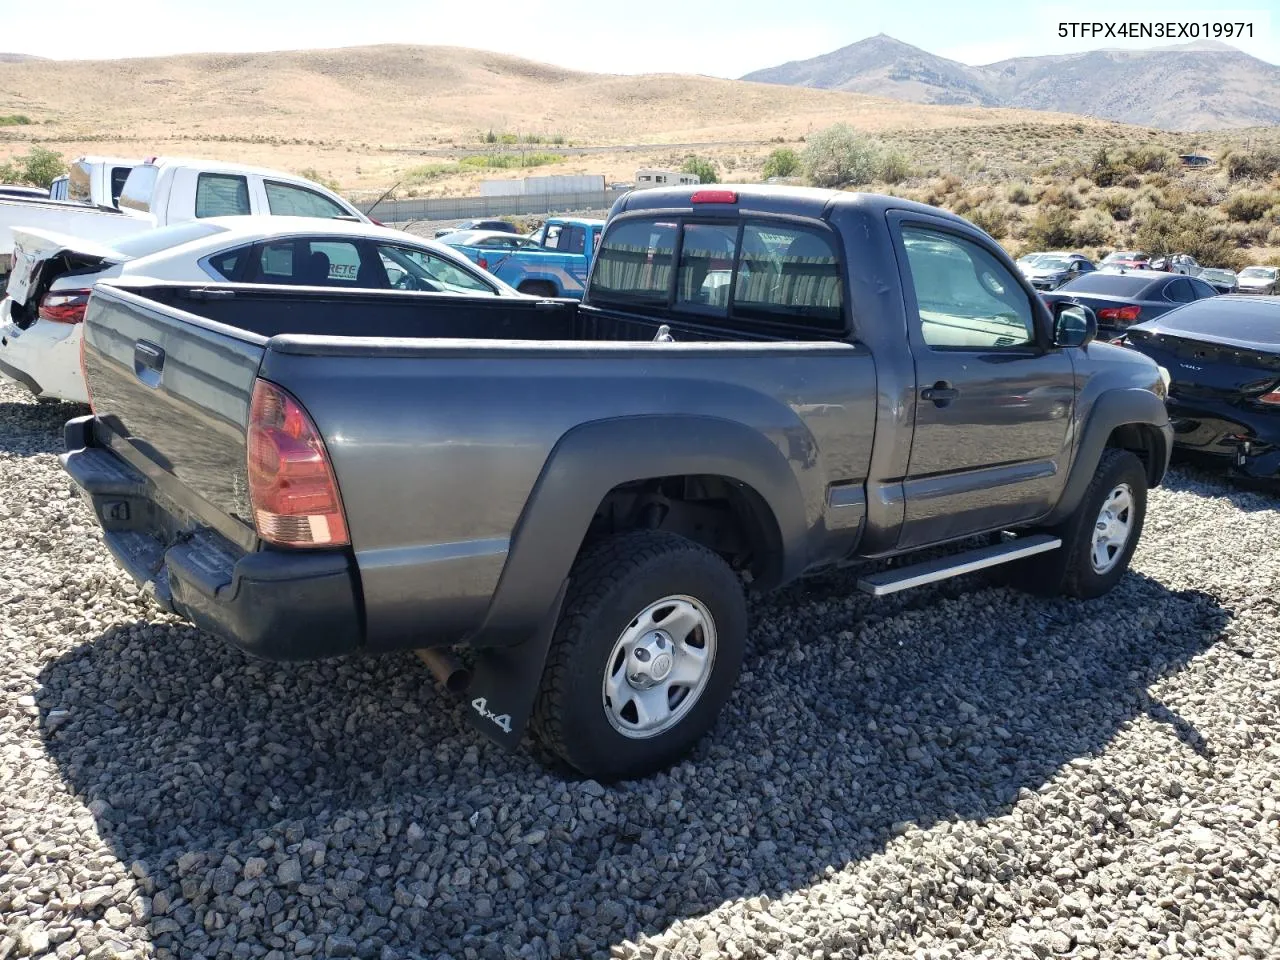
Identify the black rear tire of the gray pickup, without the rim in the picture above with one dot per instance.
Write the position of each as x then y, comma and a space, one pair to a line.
611, 586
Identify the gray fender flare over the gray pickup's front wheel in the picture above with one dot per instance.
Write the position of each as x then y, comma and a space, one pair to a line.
1114, 409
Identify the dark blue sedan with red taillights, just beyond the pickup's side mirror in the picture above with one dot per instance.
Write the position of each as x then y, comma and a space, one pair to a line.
1122, 300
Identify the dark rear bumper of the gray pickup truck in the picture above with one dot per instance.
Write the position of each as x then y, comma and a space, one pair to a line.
277, 605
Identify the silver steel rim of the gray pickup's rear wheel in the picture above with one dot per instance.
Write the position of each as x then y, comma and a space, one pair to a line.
644, 694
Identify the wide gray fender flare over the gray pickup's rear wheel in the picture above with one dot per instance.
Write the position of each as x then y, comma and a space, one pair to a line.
593, 459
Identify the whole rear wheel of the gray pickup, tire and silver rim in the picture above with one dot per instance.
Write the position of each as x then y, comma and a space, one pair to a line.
647, 652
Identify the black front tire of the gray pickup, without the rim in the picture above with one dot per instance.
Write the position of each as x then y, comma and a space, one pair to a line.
1069, 570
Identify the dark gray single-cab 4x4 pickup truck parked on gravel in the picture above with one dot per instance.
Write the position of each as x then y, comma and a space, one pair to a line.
761, 382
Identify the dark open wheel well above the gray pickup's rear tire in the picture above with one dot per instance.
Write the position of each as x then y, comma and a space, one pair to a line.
720, 513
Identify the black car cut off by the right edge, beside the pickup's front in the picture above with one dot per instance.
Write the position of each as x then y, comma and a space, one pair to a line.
1223, 356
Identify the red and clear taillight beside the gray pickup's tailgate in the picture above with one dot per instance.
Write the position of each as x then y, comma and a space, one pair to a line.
291, 483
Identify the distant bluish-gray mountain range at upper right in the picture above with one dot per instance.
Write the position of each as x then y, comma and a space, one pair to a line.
1204, 85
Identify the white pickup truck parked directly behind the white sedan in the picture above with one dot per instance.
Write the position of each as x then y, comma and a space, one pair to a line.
163, 191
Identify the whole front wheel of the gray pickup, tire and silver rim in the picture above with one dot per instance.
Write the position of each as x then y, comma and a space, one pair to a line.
1099, 540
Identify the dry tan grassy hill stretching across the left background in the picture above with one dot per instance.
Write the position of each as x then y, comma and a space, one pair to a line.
365, 115
